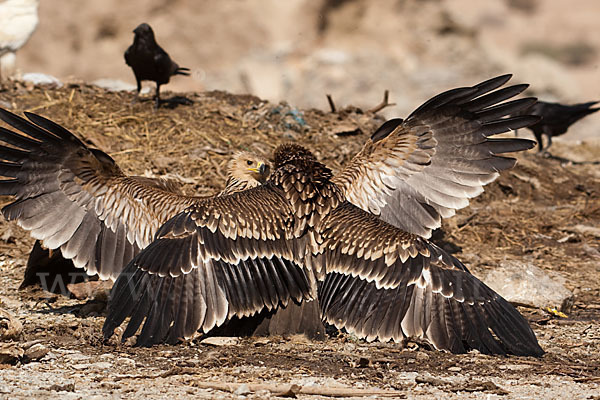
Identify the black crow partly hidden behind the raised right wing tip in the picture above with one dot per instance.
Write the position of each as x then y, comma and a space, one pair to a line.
556, 118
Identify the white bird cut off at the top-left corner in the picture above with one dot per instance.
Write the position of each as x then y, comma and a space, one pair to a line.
18, 20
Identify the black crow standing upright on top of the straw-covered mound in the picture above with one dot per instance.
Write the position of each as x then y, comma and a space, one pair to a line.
149, 61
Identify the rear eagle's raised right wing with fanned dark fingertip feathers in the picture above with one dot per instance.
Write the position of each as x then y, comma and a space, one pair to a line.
414, 172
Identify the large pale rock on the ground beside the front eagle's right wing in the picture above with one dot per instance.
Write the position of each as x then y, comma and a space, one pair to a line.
529, 285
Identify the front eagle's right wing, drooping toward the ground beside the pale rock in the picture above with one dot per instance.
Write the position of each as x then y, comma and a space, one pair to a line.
384, 283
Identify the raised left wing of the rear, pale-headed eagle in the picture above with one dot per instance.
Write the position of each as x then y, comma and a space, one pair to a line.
76, 198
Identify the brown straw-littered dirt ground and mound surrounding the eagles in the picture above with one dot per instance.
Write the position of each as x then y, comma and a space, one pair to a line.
544, 211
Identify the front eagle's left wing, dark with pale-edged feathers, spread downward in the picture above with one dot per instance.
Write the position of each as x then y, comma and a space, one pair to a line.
226, 256
